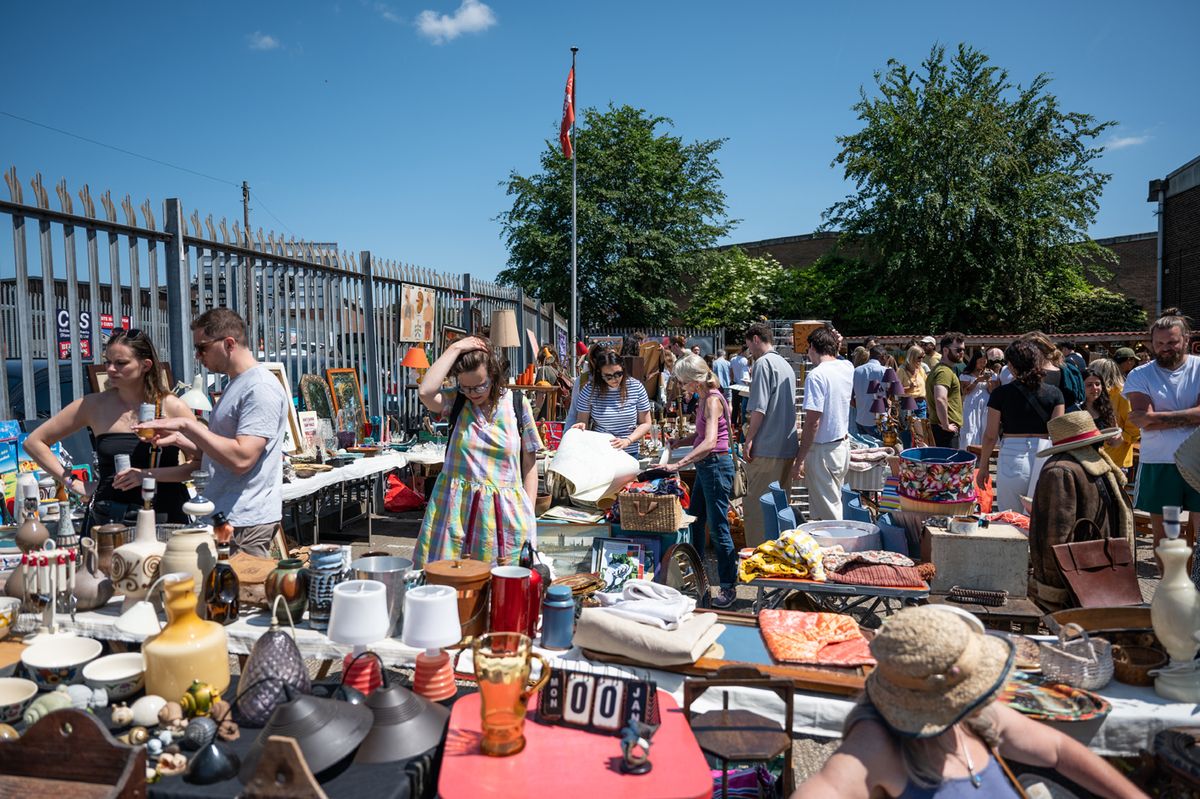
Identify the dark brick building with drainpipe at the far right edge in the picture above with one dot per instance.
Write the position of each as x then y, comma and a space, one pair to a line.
1179, 227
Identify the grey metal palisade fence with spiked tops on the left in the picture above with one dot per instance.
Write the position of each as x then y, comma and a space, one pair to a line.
310, 307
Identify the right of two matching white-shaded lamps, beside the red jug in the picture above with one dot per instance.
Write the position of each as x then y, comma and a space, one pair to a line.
431, 623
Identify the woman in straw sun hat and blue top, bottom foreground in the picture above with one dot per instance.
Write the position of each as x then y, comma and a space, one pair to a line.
929, 724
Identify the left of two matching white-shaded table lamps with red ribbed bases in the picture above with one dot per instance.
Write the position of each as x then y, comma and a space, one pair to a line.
359, 617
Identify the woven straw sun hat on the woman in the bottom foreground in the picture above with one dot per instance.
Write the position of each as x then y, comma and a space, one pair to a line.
934, 670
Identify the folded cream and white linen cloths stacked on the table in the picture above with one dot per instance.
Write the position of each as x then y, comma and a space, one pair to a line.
611, 634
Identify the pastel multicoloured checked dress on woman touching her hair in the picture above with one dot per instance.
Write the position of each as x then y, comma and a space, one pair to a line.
478, 508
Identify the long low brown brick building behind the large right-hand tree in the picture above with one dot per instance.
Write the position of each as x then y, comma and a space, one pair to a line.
1135, 274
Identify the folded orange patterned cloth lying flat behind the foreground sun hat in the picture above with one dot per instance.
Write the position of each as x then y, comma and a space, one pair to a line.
814, 639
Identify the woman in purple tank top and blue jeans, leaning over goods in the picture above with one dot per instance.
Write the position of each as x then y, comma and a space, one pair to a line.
715, 472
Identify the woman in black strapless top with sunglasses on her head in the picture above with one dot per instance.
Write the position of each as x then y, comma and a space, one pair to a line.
134, 373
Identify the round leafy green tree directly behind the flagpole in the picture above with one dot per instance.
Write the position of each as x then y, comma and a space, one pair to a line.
650, 206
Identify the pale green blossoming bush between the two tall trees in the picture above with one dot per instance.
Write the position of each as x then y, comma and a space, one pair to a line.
734, 290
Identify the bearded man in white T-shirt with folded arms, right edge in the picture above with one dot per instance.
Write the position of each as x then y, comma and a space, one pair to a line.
1165, 395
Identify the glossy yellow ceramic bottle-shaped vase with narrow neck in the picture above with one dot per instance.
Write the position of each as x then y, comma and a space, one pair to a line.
189, 648
